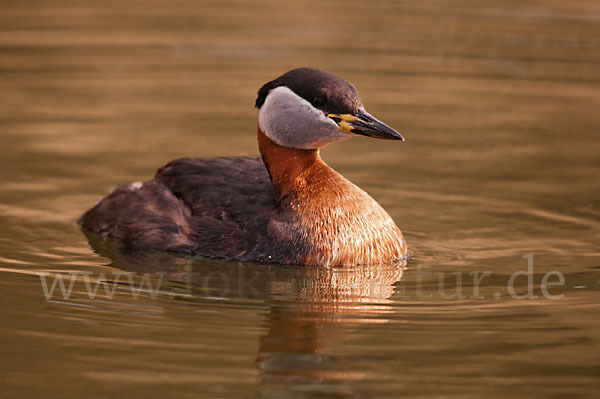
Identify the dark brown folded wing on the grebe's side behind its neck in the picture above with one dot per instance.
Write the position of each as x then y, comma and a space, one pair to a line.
230, 198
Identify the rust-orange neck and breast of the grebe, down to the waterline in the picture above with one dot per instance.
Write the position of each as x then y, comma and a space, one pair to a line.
325, 219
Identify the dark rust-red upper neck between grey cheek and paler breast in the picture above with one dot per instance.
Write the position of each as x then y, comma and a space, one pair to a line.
287, 166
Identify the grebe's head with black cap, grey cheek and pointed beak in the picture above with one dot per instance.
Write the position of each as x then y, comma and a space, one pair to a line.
308, 108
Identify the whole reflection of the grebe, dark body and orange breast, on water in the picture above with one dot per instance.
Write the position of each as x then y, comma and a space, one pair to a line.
301, 303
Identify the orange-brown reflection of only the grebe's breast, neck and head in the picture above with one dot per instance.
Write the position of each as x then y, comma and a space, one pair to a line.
302, 311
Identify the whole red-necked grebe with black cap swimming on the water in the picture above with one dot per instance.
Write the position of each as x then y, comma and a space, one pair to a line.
287, 207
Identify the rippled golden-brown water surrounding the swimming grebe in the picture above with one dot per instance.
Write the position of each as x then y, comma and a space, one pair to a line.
499, 104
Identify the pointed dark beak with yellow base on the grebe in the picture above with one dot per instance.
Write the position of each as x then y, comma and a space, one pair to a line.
365, 124
